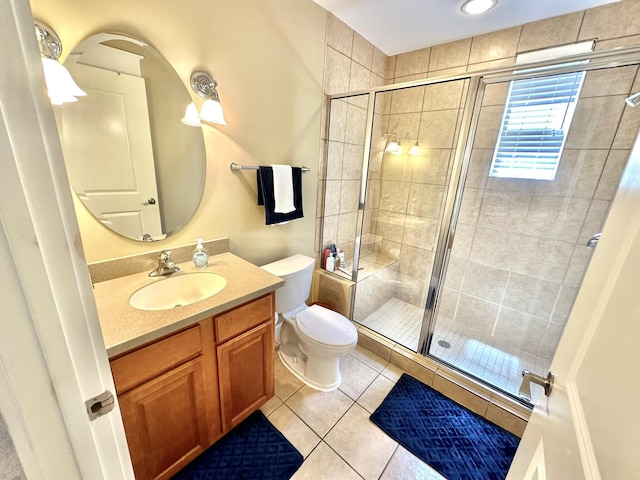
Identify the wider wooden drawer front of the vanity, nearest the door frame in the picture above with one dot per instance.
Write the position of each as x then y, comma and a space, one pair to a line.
148, 362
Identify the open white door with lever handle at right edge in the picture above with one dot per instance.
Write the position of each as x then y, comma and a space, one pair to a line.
589, 427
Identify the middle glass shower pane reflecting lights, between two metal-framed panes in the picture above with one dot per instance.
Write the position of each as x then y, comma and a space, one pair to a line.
414, 138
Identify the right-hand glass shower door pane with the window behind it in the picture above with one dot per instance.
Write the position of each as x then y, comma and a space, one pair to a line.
519, 247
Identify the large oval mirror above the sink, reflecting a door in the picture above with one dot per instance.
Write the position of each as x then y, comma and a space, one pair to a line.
135, 166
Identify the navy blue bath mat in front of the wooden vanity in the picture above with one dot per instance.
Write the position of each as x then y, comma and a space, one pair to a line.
252, 450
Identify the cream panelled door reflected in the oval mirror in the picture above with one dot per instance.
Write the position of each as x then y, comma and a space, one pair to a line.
106, 139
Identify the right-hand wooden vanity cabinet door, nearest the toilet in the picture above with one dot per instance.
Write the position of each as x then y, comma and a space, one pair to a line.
245, 371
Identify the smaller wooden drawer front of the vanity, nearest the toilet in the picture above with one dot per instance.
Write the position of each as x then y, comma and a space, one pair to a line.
241, 319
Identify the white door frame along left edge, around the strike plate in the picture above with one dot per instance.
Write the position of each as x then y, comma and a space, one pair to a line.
52, 356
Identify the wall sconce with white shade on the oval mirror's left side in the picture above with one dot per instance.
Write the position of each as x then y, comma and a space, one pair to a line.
60, 85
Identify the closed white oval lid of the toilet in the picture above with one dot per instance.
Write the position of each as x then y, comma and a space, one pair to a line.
326, 326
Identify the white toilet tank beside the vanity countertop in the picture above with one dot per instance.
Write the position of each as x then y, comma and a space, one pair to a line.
297, 272
